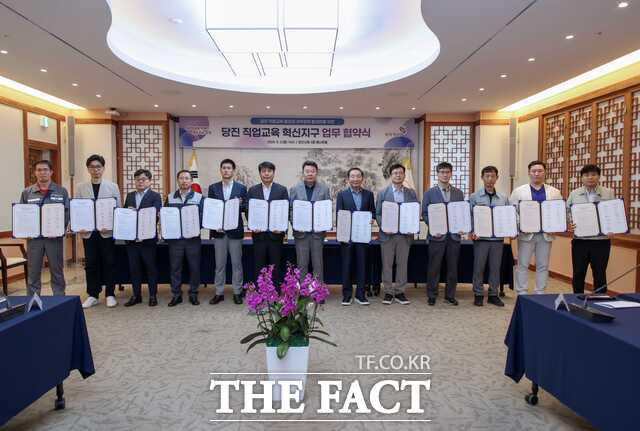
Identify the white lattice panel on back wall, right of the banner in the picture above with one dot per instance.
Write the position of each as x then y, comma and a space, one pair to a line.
452, 144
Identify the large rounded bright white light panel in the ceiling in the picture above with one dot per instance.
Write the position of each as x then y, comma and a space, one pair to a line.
274, 46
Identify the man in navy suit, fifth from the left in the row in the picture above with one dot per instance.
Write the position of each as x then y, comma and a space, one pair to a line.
228, 242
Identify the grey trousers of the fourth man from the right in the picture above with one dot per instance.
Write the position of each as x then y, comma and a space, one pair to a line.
437, 251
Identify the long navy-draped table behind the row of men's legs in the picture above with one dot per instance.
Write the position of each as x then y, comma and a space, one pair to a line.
417, 265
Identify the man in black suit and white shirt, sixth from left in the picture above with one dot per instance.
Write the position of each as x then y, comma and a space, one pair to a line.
267, 246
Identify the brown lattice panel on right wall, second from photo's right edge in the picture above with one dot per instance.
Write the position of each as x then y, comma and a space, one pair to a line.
610, 142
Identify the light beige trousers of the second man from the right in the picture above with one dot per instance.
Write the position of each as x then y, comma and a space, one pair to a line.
541, 248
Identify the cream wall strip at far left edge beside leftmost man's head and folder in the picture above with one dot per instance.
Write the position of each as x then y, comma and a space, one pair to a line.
12, 165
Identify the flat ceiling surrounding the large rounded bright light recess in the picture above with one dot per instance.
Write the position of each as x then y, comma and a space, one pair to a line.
479, 41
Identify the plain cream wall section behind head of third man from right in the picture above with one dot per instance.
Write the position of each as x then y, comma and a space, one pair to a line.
492, 148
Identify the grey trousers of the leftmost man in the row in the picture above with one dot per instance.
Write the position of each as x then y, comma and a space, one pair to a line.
36, 250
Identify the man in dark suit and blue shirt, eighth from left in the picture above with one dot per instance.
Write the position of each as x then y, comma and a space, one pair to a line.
354, 198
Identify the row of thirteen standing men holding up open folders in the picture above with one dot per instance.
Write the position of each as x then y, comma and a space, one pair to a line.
100, 249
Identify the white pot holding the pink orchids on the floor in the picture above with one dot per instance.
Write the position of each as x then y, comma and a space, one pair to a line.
296, 361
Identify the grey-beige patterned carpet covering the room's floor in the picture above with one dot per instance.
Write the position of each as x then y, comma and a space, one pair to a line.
153, 365
